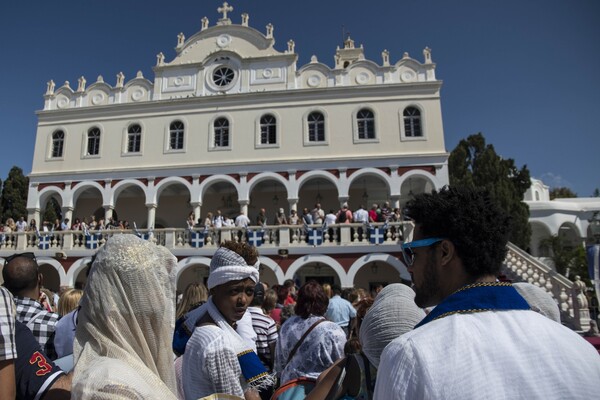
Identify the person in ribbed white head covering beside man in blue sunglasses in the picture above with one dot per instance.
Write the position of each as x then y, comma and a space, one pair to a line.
392, 314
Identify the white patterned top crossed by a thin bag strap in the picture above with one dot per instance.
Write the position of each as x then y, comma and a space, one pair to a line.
323, 346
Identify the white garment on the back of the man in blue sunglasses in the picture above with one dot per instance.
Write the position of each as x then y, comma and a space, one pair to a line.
489, 355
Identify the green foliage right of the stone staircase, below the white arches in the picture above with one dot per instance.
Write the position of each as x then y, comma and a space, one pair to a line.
566, 256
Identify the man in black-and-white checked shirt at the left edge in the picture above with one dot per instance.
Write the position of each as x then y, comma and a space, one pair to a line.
22, 278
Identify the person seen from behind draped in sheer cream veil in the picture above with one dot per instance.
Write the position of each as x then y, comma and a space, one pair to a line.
125, 325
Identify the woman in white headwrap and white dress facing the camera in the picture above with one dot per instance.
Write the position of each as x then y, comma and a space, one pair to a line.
217, 358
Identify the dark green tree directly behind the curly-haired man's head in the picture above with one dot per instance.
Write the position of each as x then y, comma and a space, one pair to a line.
476, 164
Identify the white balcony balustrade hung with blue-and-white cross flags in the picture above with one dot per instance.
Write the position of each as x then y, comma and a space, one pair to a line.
76, 243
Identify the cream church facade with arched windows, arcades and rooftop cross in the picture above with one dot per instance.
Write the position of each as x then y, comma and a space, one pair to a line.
232, 125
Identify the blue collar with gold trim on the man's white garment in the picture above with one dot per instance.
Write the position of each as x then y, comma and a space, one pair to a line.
478, 297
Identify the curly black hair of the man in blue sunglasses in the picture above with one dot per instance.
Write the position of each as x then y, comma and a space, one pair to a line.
471, 219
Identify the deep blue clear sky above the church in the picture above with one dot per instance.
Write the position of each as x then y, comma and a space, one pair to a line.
525, 73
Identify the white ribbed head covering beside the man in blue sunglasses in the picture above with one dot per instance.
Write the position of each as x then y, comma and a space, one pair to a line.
392, 314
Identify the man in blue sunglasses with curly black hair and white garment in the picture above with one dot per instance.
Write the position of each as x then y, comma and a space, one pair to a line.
481, 340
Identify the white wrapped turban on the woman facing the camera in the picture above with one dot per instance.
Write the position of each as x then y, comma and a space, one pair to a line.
226, 265
